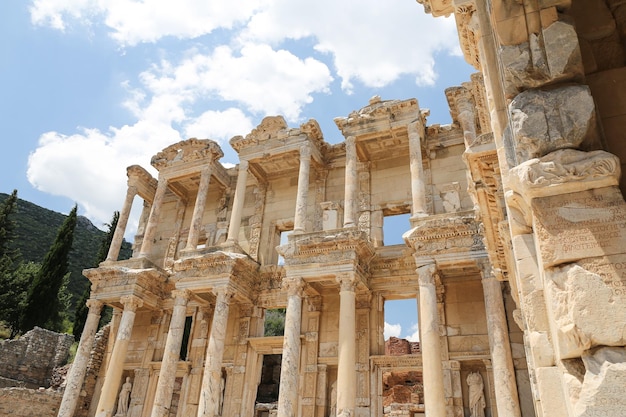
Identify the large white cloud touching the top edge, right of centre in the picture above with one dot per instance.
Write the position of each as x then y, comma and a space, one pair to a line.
375, 42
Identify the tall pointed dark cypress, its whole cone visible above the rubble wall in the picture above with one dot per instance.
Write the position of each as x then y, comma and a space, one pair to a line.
47, 300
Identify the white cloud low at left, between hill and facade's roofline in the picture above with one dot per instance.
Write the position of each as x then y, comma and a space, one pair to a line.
89, 167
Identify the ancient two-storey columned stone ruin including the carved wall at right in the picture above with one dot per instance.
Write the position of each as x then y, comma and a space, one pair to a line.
514, 247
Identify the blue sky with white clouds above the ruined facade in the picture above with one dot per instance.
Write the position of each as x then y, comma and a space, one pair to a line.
88, 87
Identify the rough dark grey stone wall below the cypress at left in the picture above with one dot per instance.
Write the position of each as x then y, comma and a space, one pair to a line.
32, 357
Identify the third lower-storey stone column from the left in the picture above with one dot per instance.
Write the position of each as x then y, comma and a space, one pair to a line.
171, 355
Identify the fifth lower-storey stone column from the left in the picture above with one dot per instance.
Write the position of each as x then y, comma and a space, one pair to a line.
288, 394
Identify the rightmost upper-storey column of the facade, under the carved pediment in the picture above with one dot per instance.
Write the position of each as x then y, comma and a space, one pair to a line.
416, 134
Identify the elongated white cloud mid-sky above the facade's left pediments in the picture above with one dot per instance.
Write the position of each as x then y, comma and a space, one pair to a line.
264, 81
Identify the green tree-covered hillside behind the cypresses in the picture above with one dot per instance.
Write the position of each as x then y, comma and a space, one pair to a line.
36, 230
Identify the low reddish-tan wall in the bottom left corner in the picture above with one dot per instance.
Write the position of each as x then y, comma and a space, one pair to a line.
24, 402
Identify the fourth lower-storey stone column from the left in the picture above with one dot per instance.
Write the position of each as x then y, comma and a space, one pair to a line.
212, 376
